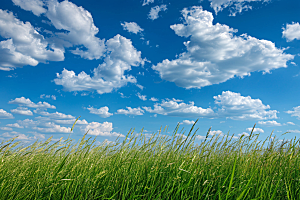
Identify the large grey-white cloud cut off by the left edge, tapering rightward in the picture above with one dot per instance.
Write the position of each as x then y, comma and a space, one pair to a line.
23, 44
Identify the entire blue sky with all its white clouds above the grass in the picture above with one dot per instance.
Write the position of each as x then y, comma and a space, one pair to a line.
151, 63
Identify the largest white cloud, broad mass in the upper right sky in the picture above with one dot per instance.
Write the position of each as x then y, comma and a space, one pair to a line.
214, 54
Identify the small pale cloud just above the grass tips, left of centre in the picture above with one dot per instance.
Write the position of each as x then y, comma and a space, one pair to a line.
102, 129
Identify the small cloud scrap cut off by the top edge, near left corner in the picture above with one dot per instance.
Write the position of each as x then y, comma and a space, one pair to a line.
36, 6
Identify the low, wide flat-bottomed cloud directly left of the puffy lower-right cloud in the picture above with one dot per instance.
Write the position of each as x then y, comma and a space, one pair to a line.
173, 108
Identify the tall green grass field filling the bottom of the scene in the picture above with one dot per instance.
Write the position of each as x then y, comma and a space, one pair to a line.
159, 168
